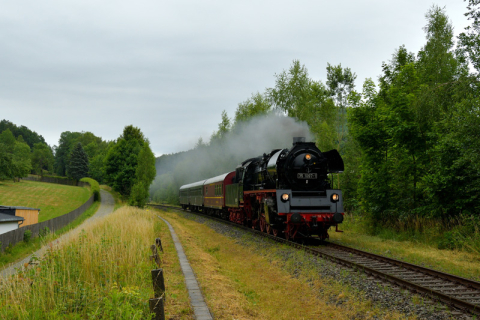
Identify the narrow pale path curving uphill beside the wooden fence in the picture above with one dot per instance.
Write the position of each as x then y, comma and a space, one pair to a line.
106, 207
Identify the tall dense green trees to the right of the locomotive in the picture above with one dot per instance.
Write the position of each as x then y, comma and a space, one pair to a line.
418, 133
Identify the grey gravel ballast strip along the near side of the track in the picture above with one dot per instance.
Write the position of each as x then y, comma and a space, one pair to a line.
381, 294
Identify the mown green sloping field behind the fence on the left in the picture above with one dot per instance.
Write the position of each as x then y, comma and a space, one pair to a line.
53, 200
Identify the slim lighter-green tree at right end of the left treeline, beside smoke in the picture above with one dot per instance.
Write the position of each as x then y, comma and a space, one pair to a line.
144, 175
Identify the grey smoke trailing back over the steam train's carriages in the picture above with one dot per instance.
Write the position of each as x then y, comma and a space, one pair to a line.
246, 140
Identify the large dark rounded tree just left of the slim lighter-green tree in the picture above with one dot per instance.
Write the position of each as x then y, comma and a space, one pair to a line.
122, 160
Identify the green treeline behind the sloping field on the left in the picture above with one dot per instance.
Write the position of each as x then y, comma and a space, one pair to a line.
126, 164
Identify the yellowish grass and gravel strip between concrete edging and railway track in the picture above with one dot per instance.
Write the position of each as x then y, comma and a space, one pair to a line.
244, 276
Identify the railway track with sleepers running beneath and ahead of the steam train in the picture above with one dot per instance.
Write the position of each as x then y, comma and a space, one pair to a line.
454, 291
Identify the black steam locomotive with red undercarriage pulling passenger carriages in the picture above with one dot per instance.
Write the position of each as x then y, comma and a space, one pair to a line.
285, 192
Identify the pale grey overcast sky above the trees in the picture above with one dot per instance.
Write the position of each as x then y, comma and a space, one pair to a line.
171, 67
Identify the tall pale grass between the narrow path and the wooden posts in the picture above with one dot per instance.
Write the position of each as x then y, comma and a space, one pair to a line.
101, 272
